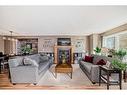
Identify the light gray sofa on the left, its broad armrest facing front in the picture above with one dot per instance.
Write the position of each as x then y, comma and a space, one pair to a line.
21, 73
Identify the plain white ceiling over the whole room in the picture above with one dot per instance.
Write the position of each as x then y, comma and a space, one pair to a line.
60, 20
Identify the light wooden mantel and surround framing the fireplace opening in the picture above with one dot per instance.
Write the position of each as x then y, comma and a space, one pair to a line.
56, 47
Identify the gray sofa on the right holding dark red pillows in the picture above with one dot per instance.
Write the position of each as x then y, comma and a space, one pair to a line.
92, 70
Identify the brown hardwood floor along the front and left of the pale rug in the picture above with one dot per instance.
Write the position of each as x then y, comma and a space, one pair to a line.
6, 84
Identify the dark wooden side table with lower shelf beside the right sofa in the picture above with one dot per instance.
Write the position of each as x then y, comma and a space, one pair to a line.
107, 76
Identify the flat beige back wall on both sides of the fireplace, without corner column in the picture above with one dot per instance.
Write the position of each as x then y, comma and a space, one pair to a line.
53, 41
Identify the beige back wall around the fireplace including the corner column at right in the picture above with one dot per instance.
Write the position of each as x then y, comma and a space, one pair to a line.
46, 43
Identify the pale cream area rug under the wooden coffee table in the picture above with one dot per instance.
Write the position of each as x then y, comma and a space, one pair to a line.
63, 80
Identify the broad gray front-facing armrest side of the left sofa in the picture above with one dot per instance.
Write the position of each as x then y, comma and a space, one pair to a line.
24, 74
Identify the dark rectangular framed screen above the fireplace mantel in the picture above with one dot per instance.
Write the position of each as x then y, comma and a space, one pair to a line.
64, 41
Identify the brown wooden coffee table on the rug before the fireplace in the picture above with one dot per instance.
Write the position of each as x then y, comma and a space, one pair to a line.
64, 68
